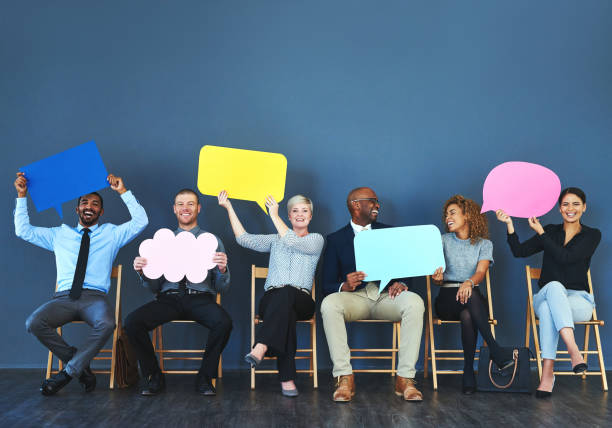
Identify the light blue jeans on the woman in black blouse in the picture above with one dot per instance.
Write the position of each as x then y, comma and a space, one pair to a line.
557, 308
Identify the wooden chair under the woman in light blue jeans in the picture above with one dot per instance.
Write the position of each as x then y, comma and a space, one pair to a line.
532, 322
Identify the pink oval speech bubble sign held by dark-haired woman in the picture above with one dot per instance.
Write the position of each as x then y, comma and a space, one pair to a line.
521, 189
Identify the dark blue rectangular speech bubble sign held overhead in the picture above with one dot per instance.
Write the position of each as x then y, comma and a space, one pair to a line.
65, 176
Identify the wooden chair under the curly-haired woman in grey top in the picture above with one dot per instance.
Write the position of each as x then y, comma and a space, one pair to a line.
429, 337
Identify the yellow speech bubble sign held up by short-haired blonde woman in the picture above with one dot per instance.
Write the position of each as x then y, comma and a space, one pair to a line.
245, 174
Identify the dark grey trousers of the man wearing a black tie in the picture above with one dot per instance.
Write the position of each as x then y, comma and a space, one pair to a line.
92, 308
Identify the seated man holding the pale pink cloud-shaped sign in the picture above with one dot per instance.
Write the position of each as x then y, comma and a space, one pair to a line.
183, 300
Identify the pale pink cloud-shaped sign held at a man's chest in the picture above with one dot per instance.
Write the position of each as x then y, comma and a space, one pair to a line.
178, 256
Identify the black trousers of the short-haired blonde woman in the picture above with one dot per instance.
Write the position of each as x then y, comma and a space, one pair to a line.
280, 309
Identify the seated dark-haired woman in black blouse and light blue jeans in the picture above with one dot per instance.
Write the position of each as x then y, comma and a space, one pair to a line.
564, 290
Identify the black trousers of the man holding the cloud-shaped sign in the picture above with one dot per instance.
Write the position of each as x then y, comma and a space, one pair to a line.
200, 308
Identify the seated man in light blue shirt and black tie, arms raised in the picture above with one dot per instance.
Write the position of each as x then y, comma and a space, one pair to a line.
84, 258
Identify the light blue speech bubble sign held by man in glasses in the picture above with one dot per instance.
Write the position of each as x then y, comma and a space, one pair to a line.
398, 252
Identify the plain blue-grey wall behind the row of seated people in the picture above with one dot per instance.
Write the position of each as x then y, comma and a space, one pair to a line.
418, 100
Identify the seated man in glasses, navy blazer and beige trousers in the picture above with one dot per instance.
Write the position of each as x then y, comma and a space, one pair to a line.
350, 299
